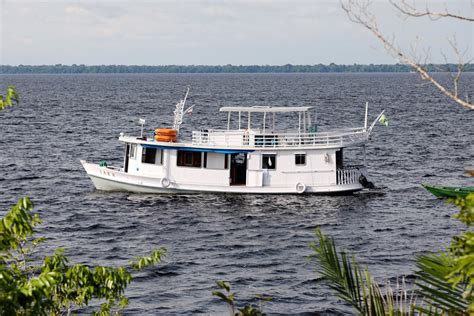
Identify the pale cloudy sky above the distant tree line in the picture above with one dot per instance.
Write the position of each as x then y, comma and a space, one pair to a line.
220, 32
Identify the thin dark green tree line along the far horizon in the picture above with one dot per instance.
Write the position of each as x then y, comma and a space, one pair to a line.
319, 68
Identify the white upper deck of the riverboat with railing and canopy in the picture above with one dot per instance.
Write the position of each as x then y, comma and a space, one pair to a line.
265, 136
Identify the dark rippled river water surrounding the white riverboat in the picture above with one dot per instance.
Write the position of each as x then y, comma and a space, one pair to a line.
259, 243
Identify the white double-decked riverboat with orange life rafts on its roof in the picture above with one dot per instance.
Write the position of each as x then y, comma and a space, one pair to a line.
251, 155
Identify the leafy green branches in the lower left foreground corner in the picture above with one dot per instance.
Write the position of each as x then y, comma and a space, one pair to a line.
54, 286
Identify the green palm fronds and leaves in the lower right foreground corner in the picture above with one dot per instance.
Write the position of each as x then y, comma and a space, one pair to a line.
444, 283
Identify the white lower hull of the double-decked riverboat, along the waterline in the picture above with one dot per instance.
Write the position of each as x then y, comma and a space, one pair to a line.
108, 179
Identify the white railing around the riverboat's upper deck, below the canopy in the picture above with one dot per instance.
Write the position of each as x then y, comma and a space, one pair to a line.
255, 139
